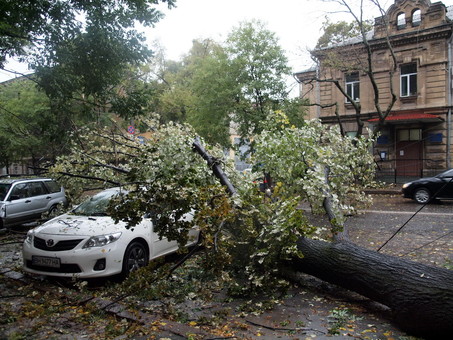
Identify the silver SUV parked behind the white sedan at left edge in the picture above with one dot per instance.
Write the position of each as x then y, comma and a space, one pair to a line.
24, 200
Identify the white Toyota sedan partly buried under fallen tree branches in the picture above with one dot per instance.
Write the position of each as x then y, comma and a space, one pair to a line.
86, 243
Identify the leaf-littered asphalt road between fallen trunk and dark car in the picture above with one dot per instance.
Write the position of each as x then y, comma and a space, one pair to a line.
420, 233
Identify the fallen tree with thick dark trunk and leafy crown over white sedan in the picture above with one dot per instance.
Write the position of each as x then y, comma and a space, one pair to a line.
168, 175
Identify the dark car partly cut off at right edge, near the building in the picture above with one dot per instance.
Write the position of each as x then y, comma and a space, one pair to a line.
424, 189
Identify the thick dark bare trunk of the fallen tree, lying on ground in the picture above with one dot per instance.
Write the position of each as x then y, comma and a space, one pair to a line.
420, 296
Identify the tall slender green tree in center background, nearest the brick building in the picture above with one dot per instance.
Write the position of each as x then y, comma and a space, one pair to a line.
259, 66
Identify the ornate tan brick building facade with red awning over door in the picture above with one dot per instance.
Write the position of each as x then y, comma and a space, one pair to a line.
415, 137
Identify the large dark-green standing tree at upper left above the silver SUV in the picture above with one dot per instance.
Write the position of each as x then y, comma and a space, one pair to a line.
87, 58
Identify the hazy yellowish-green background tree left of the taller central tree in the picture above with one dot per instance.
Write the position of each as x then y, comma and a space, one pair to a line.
198, 90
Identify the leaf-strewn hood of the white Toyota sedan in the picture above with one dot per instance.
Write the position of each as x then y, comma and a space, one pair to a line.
80, 225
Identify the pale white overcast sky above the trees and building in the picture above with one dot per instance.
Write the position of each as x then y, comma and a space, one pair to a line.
297, 24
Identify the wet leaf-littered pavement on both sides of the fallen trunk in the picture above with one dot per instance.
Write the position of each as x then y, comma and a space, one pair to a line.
311, 310
